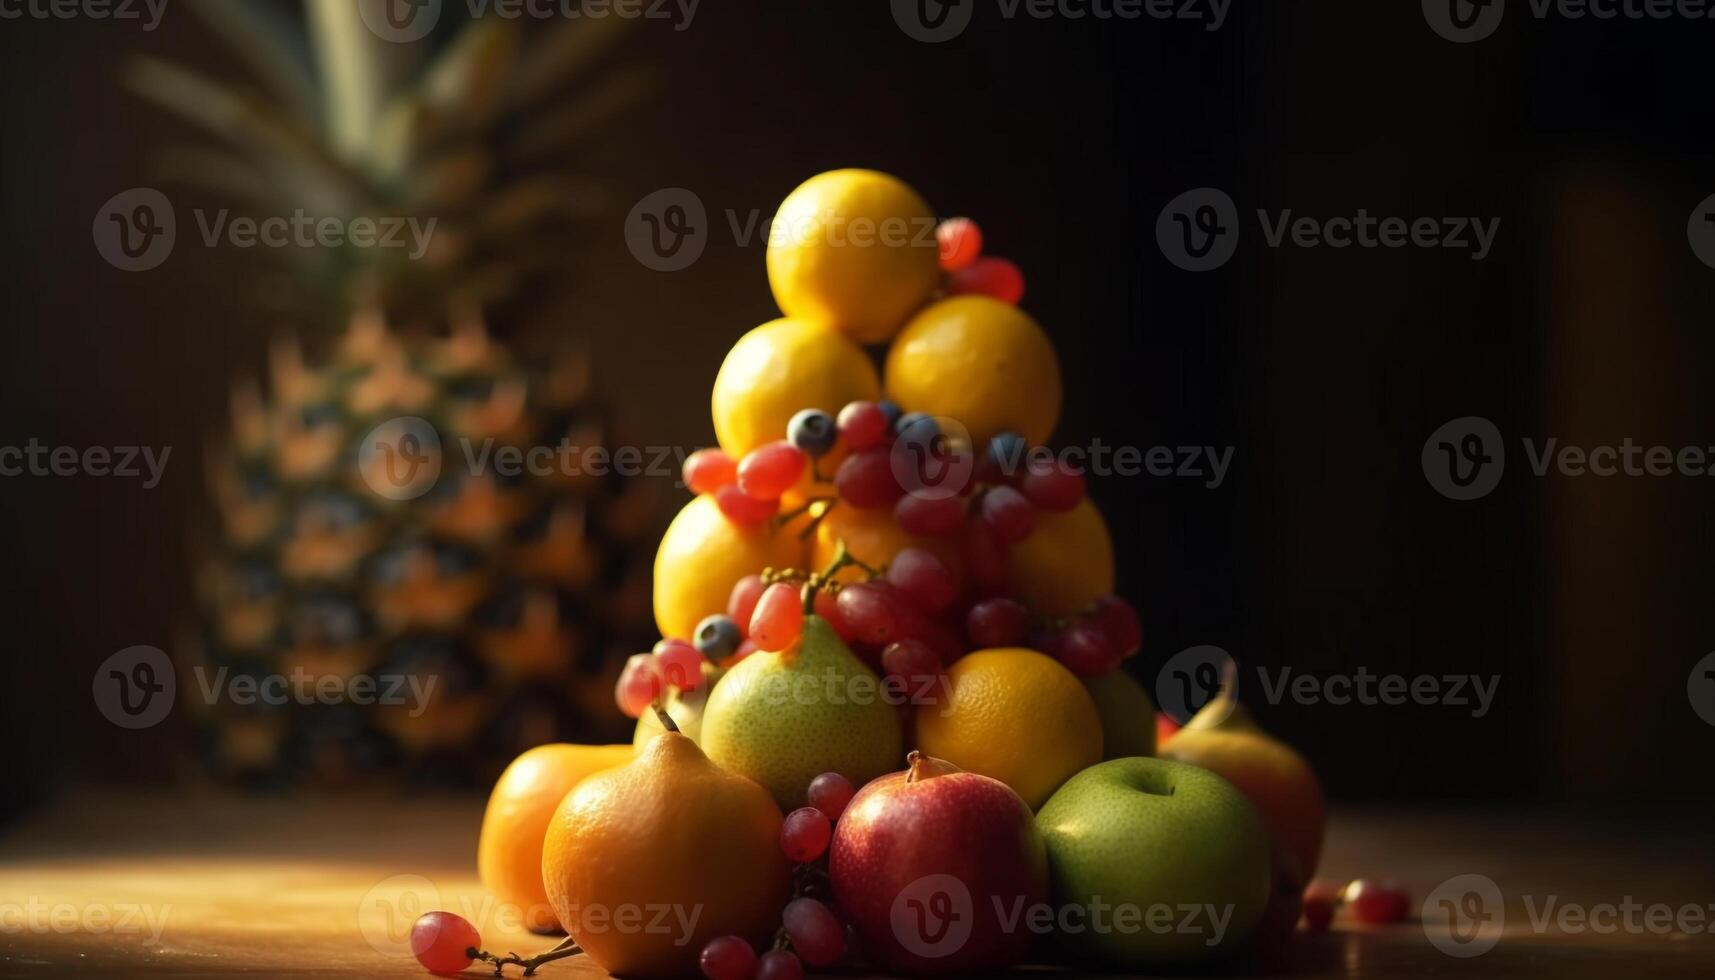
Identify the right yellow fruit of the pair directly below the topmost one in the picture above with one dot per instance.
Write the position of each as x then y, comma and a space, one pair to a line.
980, 363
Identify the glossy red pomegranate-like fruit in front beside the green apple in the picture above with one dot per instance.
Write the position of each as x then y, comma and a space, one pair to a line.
977, 830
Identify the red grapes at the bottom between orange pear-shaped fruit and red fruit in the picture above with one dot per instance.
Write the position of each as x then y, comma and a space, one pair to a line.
810, 931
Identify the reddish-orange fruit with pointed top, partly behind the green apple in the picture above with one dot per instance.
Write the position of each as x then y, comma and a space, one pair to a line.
1272, 775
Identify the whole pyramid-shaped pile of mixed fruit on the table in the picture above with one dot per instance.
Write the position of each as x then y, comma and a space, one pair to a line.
888, 723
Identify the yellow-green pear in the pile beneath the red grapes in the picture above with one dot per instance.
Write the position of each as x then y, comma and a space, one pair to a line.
786, 718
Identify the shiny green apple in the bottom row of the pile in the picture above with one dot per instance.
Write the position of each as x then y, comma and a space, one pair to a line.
1155, 833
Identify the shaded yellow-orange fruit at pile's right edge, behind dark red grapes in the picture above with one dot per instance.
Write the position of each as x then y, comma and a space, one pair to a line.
1068, 564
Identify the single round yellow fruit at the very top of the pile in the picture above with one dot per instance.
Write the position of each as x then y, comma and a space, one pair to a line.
855, 250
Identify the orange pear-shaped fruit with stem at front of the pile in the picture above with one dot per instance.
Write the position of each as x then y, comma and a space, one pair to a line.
641, 837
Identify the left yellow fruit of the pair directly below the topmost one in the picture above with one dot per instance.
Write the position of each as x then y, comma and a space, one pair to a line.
779, 370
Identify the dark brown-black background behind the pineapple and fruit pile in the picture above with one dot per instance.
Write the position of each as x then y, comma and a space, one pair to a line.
1327, 370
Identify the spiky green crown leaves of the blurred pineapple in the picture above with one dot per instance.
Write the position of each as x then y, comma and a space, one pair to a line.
476, 131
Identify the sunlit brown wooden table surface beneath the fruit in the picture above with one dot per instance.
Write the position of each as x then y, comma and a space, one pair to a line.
219, 886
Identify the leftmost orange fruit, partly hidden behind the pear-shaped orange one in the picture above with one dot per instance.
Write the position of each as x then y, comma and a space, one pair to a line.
521, 808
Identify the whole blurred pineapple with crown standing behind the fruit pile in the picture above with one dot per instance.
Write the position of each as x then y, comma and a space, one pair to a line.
515, 593
